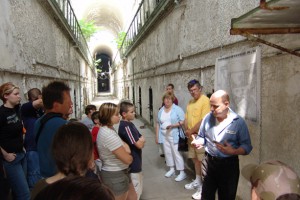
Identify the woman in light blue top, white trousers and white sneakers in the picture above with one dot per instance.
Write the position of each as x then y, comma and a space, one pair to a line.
170, 116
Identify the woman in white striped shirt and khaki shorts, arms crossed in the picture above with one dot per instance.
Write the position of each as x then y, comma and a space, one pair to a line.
114, 154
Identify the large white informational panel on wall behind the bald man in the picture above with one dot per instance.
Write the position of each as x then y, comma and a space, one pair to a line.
239, 75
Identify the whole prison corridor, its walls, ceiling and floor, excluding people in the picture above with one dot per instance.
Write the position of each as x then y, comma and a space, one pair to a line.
132, 49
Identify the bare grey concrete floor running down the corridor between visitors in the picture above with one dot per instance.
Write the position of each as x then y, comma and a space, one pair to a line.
156, 186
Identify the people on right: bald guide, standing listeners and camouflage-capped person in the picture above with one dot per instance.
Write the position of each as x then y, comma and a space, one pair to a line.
216, 136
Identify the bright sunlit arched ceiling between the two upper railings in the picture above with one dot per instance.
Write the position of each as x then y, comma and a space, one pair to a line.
112, 16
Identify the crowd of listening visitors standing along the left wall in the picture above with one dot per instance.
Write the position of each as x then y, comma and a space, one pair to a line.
57, 152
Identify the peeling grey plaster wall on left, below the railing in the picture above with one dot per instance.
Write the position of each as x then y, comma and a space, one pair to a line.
34, 50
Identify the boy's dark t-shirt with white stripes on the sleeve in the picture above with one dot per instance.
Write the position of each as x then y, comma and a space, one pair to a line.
129, 134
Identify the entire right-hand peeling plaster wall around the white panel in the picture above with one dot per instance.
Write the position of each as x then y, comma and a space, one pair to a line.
185, 46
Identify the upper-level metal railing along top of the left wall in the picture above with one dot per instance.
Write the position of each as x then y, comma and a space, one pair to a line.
66, 13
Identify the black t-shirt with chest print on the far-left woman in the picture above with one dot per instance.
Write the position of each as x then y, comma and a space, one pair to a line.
11, 130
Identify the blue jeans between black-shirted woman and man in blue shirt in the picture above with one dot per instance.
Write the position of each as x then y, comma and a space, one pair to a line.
33, 168
